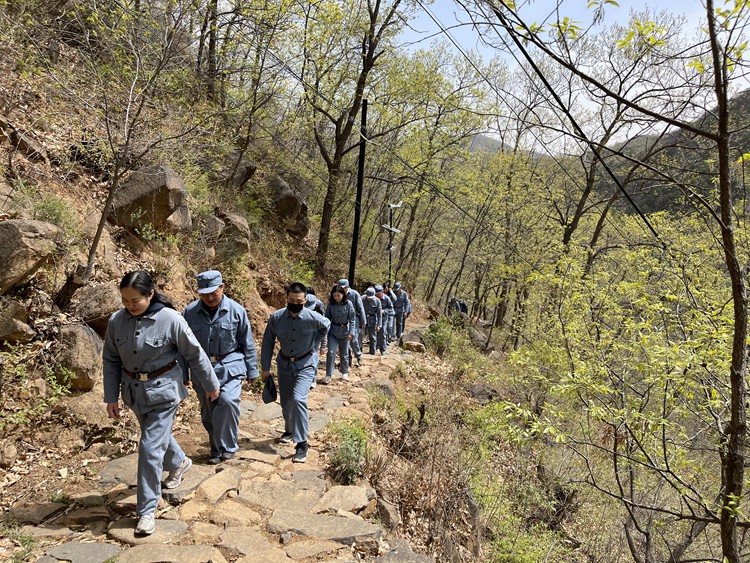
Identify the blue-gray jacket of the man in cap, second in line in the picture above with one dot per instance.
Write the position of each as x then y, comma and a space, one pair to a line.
227, 336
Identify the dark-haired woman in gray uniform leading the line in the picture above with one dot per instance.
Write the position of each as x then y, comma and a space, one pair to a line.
140, 353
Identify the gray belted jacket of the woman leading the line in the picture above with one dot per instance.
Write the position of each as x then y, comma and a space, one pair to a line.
146, 344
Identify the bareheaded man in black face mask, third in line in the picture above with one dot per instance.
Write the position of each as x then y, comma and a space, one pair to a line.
299, 331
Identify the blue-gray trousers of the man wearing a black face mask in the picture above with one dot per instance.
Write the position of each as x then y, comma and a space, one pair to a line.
295, 379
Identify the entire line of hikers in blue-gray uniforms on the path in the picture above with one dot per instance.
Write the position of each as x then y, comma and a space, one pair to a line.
154, 355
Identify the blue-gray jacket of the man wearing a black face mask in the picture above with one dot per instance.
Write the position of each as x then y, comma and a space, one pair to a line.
296, 336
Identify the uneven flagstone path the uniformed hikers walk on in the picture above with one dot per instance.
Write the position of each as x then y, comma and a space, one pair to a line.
257, 507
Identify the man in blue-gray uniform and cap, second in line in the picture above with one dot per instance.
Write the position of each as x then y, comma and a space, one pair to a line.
223, 329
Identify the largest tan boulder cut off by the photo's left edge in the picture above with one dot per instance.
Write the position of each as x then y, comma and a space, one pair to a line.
24, 246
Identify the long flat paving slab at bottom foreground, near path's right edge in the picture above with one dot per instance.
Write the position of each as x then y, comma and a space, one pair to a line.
334, 528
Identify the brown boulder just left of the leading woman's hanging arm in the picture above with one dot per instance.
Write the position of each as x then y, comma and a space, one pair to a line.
81, 353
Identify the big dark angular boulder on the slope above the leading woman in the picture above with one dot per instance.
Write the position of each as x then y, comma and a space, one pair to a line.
152, 196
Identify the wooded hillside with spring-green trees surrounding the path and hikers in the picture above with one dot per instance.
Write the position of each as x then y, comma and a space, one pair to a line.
581, 185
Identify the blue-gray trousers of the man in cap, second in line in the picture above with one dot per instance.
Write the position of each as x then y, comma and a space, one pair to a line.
221, 418
